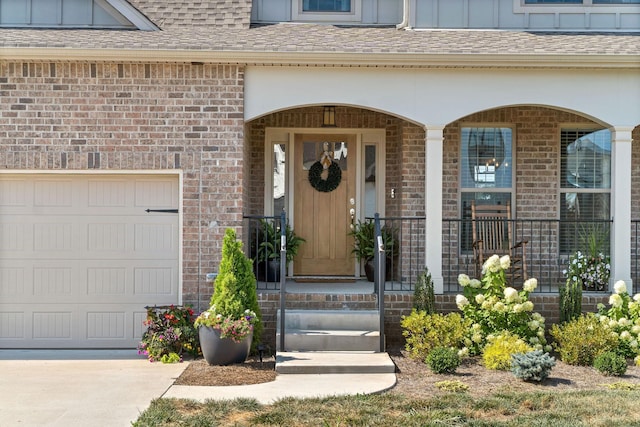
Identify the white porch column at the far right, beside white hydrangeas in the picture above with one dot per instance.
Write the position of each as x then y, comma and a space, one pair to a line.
621, 205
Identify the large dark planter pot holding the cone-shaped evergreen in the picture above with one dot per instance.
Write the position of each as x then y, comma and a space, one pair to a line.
222, 351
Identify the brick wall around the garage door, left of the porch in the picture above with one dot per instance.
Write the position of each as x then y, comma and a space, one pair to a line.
128, 116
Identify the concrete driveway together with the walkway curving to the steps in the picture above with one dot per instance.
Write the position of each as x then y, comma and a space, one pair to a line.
112, 388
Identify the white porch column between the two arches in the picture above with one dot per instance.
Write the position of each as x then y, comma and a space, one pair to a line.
433, 204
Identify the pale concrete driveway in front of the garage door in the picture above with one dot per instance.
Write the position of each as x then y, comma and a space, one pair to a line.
79, 387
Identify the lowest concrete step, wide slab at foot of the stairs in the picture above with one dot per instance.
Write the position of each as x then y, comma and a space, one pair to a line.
338, 362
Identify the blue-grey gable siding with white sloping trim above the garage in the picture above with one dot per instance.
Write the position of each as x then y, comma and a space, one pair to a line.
103, 14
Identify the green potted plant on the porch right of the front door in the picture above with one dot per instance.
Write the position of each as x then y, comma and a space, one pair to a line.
364, 246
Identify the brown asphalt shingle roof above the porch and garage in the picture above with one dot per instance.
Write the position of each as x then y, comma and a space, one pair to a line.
220, 26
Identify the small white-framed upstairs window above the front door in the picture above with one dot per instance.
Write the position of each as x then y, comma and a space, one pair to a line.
326, 10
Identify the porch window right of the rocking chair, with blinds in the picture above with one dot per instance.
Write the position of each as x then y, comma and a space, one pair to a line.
585, 188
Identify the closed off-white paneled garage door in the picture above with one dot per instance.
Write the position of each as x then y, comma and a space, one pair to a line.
80, 257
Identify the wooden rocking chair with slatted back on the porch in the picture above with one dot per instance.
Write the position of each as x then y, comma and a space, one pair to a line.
493, 233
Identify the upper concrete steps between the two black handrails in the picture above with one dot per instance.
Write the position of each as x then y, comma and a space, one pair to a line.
330, 330
